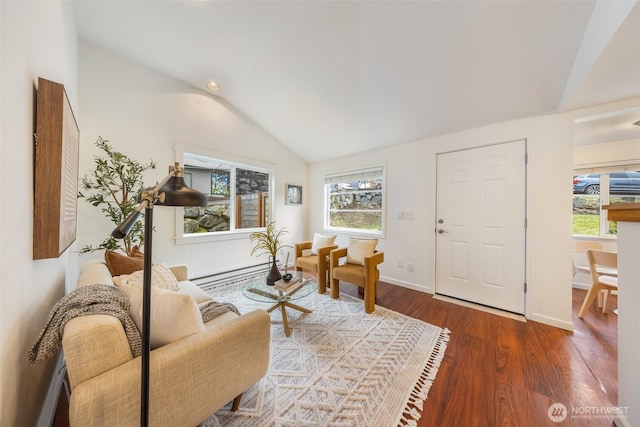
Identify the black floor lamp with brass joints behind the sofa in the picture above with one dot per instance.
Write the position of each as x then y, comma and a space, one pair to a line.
171, 191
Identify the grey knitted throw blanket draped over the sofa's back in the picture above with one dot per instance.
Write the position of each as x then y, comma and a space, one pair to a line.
85, 301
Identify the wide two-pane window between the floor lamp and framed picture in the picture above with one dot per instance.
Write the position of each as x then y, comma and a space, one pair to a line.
238, 196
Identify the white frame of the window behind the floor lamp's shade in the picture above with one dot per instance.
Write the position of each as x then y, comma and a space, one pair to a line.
235, 162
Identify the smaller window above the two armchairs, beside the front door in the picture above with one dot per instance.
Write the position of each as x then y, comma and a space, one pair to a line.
354, 201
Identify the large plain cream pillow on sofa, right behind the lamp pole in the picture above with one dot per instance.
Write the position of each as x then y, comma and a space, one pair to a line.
173, 315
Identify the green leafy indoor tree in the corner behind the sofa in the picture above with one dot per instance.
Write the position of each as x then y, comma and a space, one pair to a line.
114, 186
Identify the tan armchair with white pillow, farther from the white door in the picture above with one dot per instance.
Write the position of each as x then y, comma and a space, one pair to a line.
314, 256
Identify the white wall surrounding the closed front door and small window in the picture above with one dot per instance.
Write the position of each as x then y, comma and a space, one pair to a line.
411, 184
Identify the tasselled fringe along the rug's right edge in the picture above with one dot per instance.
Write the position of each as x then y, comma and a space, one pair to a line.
415, 403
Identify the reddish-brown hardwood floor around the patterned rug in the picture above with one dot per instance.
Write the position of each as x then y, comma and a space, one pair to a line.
503, 372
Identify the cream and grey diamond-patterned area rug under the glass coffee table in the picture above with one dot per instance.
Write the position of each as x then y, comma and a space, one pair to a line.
339, 367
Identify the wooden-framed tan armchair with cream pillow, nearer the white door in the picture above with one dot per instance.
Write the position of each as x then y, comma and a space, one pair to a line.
360, 268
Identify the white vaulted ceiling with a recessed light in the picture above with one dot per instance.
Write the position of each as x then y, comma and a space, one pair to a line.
330, 78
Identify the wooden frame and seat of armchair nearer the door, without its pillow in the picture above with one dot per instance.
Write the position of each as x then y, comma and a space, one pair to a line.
365, 276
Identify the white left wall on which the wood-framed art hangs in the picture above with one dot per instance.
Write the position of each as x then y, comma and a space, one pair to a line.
38, 39
